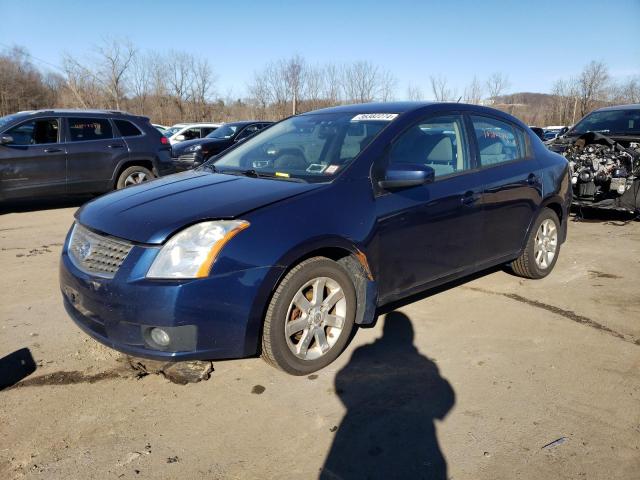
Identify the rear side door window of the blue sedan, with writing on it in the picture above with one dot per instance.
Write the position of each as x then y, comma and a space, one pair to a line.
498, 141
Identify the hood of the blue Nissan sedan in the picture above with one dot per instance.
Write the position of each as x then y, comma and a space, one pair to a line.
151, 212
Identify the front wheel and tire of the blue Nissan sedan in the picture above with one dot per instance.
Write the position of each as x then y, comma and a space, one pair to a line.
285, 314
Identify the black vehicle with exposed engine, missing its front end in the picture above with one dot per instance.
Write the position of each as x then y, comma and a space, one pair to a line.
603, 151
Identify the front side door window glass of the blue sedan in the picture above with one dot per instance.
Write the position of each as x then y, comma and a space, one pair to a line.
437, 142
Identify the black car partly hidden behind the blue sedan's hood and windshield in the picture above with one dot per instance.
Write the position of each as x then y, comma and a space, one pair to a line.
192, 153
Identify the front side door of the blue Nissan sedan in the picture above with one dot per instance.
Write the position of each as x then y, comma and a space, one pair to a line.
429, 232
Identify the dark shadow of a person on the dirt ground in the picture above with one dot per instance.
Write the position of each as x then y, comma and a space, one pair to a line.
393, 395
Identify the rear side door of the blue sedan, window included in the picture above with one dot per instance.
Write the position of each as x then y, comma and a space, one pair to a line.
513, 189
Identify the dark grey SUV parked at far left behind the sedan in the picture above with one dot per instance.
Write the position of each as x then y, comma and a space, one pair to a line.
65, 152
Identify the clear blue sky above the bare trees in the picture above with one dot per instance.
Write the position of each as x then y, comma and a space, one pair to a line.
534, 43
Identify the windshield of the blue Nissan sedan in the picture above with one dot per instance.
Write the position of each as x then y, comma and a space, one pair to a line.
312, 147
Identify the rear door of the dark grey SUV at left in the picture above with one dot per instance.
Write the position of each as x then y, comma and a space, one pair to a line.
94, 153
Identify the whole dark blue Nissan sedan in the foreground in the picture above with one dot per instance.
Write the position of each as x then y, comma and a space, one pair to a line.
284, 242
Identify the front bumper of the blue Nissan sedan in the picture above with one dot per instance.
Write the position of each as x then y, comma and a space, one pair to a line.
212, 318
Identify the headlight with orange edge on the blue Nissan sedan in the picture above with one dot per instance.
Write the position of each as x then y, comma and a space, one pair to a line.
191, 252
